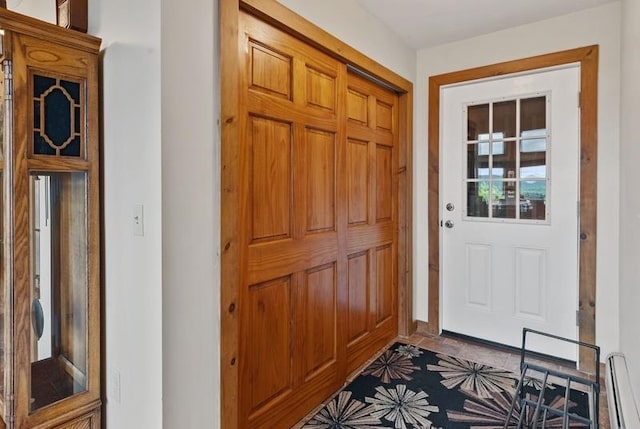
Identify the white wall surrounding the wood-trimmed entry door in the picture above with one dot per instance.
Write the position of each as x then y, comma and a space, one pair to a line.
594, 26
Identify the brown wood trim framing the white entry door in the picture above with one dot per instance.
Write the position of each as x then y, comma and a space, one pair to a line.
587, 57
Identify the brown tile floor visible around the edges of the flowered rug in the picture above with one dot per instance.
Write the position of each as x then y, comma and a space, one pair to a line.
481, 353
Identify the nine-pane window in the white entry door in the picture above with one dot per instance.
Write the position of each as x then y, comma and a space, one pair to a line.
506, 162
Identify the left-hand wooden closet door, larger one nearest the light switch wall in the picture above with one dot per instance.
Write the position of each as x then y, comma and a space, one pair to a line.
292, 234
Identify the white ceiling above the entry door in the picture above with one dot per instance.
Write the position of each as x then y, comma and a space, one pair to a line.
426, 23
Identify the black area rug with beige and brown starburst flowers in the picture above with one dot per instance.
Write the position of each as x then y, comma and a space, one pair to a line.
410, 387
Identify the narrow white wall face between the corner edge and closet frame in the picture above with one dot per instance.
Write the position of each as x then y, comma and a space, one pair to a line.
190, 215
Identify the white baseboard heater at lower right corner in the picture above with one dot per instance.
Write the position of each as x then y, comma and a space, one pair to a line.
623, 410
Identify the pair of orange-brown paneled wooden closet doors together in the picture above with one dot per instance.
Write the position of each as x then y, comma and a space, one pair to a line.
318, 210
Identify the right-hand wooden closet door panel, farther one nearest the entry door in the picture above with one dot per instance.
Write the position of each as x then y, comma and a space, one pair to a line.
372, 194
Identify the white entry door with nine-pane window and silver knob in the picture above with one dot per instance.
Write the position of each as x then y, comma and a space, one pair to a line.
509, 208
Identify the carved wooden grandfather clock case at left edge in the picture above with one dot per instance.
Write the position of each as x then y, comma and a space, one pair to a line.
49, 212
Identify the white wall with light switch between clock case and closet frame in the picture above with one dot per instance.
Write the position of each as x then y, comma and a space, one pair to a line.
161, 149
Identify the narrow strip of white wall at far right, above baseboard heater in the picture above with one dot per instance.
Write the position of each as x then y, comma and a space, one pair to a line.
630, 196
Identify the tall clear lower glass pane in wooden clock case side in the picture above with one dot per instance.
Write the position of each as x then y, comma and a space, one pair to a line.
59, 292
